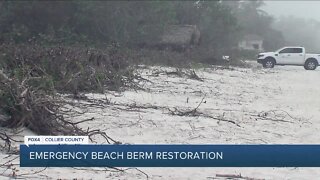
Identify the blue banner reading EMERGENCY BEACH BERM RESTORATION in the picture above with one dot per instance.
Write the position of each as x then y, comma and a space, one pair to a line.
170, 156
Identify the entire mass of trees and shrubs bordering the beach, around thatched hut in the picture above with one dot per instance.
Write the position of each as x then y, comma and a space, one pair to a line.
80, 46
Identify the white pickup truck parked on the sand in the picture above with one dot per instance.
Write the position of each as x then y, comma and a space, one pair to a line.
289, 56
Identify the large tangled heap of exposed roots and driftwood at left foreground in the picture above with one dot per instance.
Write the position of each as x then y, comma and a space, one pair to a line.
35, 109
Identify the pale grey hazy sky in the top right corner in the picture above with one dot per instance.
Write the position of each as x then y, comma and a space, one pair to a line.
304, 9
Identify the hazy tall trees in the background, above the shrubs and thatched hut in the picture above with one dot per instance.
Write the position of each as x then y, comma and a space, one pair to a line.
222, 23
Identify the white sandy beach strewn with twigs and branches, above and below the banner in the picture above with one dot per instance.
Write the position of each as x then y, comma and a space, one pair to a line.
271, 106
